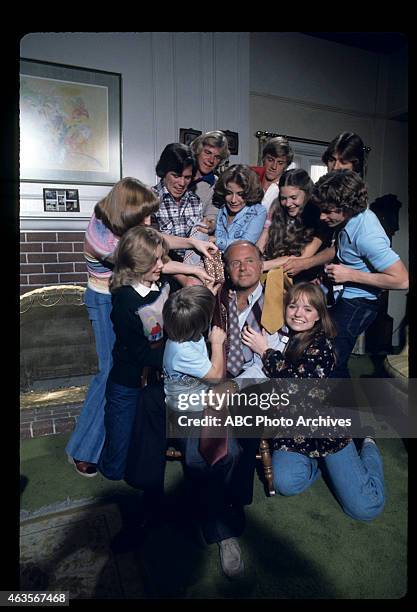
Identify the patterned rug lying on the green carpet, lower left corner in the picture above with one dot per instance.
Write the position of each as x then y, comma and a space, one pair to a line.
70, 552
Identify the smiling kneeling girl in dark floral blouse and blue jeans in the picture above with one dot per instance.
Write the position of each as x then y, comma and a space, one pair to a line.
356, 479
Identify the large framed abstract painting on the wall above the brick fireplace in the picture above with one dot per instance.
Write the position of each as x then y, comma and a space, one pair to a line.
70, 124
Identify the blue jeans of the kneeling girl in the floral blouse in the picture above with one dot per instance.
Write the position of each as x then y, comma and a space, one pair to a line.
357, 480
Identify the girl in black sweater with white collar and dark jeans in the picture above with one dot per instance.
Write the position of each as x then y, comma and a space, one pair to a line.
138, 297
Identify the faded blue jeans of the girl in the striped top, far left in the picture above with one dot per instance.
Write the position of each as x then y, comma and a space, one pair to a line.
87, 438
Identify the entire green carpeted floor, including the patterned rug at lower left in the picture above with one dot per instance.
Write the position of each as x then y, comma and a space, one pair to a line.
302, 547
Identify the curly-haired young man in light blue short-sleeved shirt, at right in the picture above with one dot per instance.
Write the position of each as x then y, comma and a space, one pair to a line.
367, 263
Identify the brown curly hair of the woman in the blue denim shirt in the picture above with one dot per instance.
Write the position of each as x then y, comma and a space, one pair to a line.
243, 176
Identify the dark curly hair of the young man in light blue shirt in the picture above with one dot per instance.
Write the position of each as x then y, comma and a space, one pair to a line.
341, 189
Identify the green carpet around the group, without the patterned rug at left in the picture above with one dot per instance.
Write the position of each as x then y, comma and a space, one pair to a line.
300, 547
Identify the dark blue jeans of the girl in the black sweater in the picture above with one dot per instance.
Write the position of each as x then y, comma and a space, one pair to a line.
119, 417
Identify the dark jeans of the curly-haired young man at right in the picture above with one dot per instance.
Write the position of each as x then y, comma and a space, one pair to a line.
351, 317
